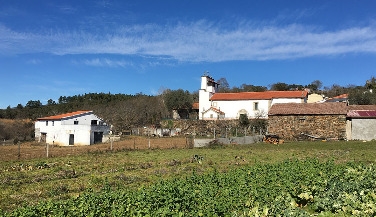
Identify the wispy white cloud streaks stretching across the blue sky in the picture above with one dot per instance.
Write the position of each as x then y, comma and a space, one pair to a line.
195, 42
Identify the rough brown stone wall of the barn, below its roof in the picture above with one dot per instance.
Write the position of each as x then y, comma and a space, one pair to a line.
291, 127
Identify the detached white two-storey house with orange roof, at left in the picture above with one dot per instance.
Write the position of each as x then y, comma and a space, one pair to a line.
75, 128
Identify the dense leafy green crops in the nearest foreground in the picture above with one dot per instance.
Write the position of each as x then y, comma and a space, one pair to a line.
290, 188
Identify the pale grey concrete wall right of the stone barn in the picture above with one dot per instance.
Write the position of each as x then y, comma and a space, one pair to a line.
363, 129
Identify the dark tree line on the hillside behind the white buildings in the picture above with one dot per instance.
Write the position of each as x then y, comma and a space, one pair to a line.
126, 111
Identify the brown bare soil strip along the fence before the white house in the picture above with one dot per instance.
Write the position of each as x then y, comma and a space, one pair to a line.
32, 150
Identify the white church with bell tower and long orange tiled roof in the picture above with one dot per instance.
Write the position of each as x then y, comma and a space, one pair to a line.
214, 105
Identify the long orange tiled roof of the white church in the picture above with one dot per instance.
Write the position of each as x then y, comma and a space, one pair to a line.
266, 95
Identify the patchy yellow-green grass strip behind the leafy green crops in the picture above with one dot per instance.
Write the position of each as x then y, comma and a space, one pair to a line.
30, 181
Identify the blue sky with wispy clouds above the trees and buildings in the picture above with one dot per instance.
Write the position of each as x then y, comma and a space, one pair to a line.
51, 48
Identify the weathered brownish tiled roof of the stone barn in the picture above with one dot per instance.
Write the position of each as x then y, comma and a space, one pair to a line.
330, 108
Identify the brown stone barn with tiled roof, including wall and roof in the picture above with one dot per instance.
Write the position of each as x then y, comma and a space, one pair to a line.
292, 121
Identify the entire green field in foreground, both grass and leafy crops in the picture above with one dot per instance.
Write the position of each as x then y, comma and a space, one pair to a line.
300, 178
